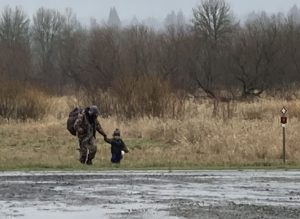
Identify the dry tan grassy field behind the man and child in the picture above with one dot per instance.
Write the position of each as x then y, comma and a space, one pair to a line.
252, 137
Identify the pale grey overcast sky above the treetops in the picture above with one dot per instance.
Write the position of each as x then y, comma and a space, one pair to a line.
99, 9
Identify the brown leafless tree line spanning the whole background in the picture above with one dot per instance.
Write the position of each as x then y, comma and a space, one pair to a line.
215, 53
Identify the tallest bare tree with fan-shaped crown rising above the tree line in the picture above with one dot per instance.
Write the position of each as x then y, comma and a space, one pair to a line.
213, 27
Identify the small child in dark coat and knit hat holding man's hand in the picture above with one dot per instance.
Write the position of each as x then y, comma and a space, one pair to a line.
118, 147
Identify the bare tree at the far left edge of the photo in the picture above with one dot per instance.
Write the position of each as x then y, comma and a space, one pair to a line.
15, 62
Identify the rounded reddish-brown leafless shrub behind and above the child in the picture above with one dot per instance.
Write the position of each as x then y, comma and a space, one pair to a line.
147, 95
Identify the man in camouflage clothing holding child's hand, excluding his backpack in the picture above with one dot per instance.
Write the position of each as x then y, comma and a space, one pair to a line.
86, 126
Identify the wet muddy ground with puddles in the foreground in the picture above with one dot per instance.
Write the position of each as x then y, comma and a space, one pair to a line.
150, 194
